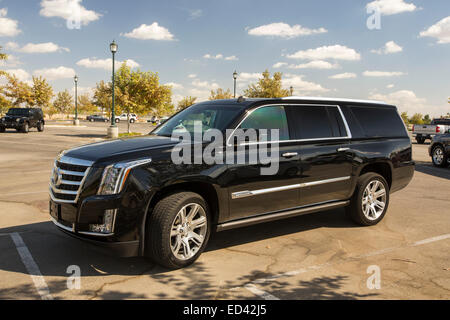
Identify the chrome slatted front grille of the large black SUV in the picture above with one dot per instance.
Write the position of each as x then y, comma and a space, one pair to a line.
67, 179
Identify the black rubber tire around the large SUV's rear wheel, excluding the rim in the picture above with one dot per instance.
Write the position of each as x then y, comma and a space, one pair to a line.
355, 209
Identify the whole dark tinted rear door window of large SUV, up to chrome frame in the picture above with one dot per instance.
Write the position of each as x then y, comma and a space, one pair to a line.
316, 122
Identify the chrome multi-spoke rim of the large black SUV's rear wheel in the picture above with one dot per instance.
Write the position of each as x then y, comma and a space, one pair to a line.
374, 200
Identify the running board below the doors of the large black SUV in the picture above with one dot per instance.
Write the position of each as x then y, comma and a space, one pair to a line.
281, 215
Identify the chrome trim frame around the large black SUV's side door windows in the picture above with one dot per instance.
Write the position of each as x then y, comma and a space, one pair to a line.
347, 128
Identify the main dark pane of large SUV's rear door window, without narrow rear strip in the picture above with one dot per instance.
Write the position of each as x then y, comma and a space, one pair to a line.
311, 122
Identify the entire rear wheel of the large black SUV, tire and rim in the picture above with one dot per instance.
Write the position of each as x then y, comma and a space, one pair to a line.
370, 201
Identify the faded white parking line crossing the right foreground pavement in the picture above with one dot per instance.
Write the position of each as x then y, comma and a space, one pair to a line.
267, 296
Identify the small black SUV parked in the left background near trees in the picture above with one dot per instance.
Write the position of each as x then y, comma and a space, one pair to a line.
22, 119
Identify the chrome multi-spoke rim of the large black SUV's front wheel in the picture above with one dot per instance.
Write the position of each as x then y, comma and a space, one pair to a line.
188, 231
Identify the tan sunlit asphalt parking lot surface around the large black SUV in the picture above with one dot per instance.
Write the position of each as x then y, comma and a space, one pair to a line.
317, 256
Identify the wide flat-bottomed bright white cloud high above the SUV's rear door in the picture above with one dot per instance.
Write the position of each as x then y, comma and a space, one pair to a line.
336, 52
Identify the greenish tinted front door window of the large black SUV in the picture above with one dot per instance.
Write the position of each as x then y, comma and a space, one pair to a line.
268, 118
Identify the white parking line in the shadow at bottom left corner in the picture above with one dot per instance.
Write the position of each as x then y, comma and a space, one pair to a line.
32, 267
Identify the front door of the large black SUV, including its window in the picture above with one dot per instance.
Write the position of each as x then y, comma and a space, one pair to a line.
252, 192
